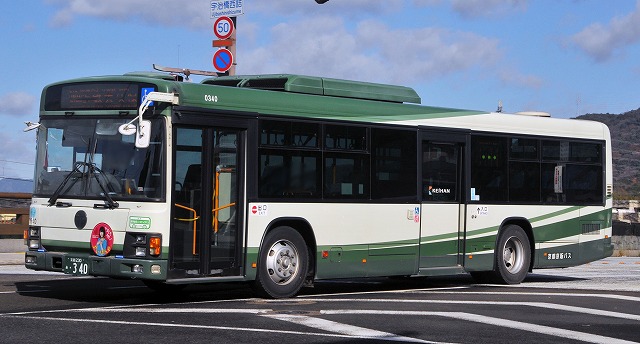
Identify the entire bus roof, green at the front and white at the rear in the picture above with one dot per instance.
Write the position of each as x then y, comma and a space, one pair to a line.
325, 98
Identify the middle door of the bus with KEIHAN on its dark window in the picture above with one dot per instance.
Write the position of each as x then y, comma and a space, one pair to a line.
442, 224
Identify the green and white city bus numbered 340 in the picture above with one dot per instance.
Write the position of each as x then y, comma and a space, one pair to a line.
283, 180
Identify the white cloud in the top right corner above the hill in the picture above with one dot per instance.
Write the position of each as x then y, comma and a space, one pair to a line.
601, 41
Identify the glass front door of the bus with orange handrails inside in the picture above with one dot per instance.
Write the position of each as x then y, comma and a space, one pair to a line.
207, 201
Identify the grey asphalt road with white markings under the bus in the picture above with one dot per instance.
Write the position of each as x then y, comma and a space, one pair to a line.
595, 303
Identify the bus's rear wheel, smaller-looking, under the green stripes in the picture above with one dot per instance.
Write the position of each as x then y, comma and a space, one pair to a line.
513, 255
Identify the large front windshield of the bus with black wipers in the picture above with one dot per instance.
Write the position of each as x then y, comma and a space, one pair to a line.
89, 158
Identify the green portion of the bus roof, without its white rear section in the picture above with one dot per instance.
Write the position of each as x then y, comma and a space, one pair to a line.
288, 95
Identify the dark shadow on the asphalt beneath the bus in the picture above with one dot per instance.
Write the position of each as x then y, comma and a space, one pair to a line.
132, 292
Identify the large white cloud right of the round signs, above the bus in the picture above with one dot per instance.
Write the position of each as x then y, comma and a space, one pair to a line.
371, 52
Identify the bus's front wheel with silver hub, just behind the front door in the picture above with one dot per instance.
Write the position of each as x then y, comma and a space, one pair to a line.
283, 263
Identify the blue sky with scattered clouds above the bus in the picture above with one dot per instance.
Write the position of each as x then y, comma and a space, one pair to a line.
564, 57
